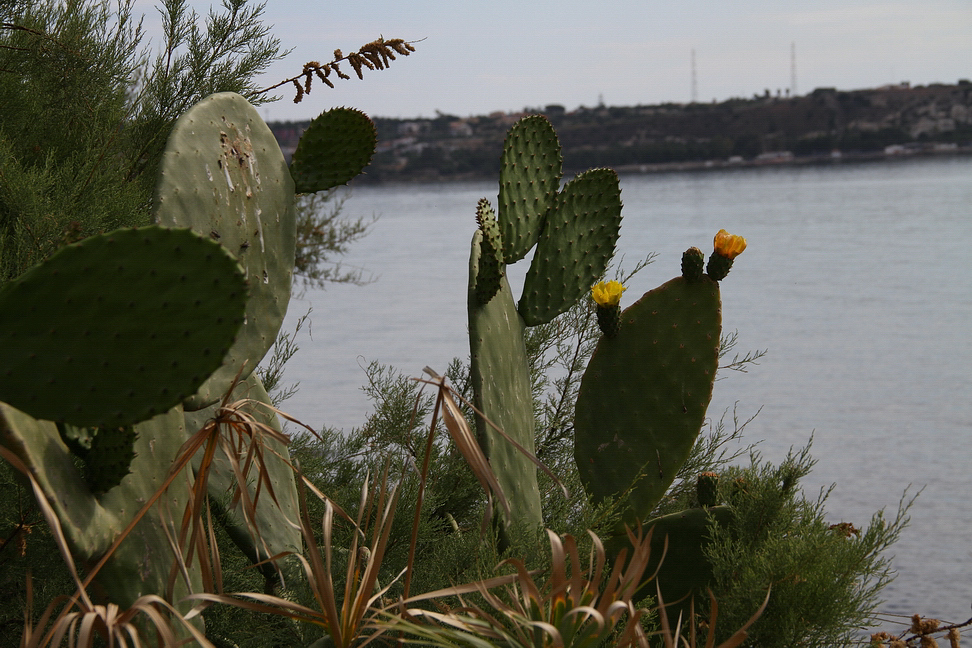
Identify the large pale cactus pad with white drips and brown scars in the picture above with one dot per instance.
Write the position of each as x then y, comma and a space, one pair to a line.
223, 176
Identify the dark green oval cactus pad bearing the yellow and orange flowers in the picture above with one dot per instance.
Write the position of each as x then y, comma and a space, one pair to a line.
643, 397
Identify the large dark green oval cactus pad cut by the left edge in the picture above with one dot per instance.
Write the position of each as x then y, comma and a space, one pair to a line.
119, 327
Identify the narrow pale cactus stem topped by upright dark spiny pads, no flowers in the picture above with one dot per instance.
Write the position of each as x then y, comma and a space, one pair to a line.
575, 231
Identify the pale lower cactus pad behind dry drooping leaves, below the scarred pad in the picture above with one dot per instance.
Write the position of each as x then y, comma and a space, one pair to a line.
276, 522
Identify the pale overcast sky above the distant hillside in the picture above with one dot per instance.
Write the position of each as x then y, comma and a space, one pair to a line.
477, 57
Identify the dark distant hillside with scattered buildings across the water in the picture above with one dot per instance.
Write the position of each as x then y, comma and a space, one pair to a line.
824, 125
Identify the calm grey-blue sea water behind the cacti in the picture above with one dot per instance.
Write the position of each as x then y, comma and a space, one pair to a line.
857, 280
